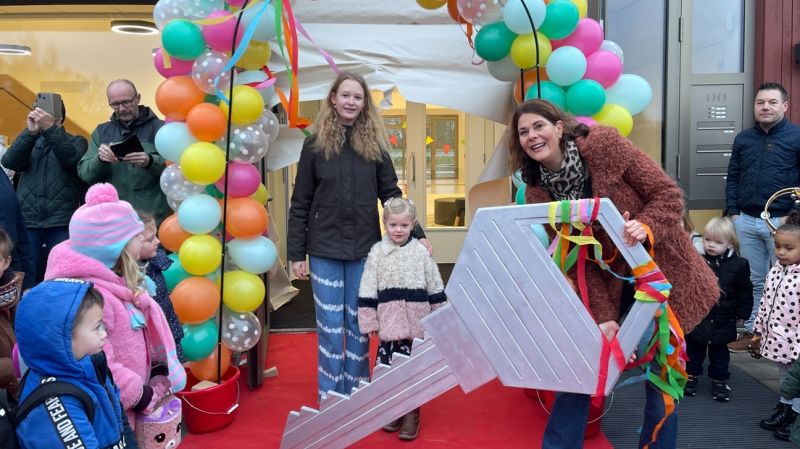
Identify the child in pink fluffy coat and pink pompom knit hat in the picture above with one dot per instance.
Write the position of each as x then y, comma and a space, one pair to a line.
105, 237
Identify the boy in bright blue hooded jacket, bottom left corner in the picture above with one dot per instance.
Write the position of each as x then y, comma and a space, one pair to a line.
60, 333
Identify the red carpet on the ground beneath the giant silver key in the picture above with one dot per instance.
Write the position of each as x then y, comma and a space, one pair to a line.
490, 417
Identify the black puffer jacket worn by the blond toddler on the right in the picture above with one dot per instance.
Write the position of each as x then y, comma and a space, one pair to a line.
736, 300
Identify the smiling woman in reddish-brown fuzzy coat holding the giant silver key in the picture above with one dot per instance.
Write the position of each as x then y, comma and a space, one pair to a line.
563, 160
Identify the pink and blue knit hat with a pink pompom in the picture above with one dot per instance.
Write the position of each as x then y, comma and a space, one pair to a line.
103, 226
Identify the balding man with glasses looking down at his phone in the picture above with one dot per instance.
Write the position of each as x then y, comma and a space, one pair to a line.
135, 175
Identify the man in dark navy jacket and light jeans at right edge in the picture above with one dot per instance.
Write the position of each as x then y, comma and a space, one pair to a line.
765, 159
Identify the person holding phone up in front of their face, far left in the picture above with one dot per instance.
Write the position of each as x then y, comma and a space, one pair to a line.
49, 190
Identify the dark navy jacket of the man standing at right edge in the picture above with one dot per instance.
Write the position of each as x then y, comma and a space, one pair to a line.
761, 164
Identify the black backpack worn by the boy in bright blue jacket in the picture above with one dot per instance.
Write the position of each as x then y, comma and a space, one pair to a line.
11, 413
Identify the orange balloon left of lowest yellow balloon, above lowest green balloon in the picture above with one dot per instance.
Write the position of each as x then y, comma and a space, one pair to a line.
195, 299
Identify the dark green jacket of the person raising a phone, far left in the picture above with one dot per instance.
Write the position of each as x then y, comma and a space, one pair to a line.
49, 189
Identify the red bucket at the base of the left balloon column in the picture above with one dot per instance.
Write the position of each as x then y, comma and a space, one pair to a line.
212, 408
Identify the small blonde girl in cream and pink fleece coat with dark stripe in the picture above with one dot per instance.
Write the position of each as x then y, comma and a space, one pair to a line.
400, 285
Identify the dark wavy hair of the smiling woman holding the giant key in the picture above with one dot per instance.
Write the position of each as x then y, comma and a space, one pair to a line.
517, 158
